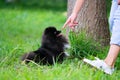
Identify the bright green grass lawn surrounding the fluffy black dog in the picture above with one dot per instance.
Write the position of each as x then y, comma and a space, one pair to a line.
20, 32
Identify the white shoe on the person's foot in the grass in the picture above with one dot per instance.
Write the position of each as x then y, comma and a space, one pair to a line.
100, 64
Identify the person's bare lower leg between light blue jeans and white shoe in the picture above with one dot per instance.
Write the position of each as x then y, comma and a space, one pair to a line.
112, 55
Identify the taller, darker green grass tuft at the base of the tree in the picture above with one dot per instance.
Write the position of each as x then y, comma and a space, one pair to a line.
85, 46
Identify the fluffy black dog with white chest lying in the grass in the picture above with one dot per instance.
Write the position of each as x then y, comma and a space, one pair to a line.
52, 48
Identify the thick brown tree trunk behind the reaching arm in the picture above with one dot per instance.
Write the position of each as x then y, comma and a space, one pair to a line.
93, 19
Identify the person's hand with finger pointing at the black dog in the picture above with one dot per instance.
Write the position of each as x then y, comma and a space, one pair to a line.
71, 21
